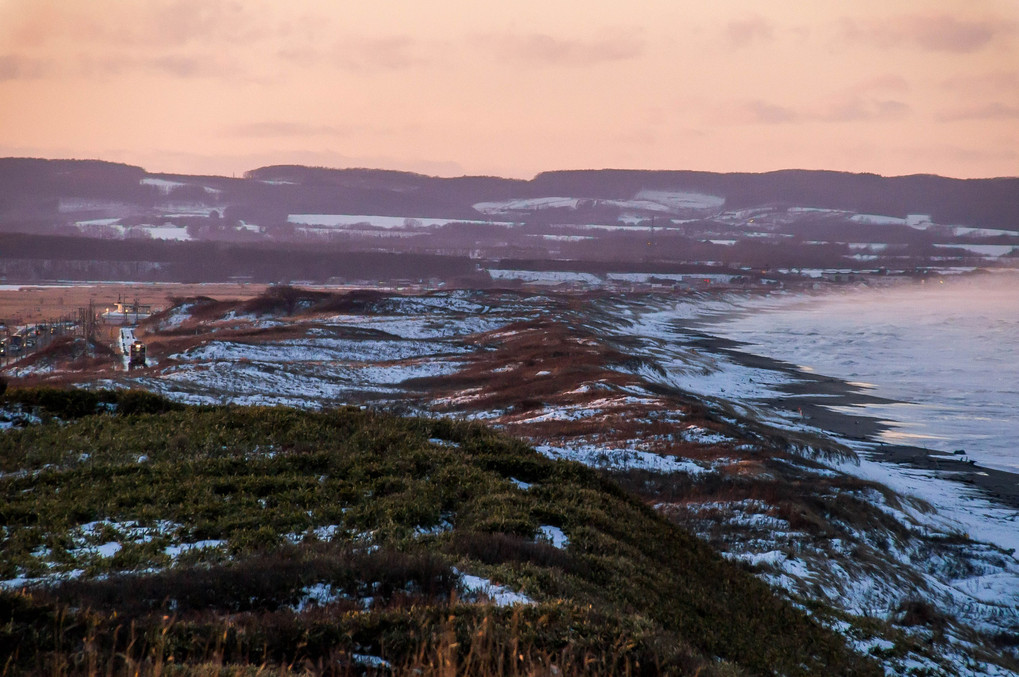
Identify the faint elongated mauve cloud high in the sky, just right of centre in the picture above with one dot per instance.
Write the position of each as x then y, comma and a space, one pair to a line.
545, 49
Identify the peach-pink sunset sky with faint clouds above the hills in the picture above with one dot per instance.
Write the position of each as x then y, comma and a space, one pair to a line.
512, 89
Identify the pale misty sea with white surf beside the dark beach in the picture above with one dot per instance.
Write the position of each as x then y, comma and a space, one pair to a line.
947, 351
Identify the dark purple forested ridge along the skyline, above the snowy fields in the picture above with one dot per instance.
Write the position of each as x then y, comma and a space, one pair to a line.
32, 187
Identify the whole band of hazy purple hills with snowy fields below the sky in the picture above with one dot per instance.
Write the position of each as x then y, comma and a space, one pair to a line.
597, 220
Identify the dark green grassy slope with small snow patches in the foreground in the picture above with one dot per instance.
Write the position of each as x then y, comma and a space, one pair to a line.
631, 592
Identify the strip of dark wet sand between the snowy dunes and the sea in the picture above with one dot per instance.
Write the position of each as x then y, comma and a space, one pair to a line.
814, 395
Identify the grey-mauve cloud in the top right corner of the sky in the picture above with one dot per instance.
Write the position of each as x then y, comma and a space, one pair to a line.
939, 33
